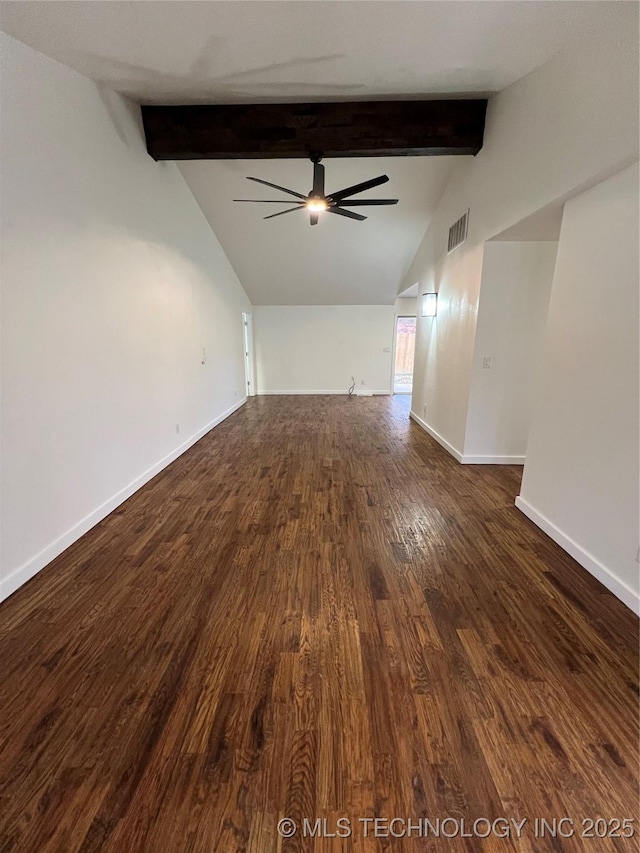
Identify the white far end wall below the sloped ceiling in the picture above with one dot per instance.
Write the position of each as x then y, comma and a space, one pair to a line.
316, 349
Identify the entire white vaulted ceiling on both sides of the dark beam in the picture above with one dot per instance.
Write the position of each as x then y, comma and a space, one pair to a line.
287, 51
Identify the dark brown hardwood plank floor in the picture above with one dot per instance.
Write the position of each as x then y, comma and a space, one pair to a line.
316, 612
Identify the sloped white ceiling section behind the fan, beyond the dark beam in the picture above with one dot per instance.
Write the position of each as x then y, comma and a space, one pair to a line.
286, 261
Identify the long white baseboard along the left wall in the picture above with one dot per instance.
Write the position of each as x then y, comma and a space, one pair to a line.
18, 577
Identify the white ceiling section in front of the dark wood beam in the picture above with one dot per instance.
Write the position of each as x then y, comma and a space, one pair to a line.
279, 50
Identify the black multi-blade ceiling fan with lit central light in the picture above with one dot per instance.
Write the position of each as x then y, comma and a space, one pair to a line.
317, 202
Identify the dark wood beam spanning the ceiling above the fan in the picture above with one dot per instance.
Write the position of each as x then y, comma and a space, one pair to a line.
357, 129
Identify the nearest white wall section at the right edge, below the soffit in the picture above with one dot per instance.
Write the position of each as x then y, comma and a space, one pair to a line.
580, 479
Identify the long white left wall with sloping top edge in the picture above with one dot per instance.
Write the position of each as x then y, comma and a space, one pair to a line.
112, 283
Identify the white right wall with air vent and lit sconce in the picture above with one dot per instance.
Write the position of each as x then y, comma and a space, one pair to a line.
565, 126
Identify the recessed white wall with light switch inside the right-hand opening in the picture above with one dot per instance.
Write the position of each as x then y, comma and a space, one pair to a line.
512, 312
